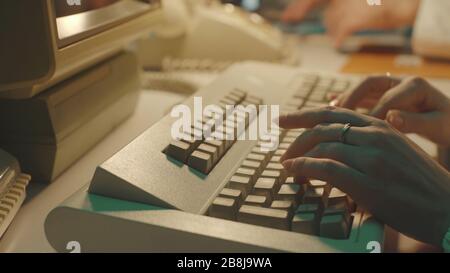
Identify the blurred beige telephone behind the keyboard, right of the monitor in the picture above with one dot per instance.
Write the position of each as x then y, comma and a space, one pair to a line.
207, 35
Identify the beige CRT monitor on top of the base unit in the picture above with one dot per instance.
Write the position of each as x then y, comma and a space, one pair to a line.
43, 42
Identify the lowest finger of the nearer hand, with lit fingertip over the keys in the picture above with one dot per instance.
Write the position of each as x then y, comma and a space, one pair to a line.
336, 173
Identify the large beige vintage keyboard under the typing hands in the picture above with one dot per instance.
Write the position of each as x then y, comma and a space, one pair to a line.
161, 194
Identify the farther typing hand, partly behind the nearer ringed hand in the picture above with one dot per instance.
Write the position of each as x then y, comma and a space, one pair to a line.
411, 105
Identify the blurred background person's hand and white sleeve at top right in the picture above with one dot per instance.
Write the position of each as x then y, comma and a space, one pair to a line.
429, 19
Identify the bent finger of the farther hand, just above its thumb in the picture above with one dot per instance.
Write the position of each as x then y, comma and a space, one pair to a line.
408, 95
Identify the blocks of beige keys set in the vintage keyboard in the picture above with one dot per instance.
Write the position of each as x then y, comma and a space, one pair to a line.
260, 192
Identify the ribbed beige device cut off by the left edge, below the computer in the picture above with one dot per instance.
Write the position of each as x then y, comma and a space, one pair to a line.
13, 185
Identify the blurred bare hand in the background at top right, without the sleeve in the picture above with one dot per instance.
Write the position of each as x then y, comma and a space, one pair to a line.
344, 17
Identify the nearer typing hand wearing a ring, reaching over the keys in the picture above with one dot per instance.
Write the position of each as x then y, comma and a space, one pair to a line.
379, 167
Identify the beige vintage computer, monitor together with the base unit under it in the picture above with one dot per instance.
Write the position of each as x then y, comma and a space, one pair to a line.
65, 78
